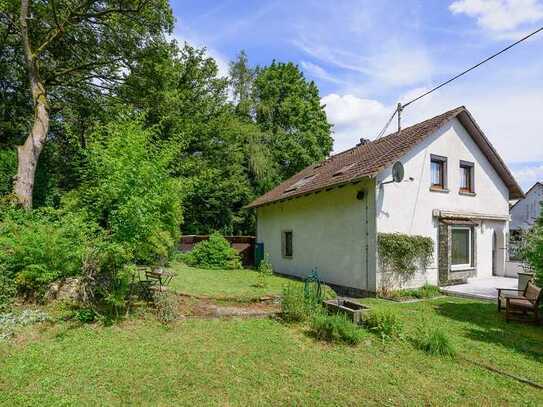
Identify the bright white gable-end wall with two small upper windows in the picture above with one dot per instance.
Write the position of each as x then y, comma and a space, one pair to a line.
407, 207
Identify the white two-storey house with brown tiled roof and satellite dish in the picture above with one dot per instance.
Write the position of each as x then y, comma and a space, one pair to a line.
456, 190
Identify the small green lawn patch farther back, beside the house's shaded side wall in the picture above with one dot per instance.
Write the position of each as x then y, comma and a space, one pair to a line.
239, 285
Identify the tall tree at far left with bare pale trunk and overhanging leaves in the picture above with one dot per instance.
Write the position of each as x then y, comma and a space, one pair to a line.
67, 45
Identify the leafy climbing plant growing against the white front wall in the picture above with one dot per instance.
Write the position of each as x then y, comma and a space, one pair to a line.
403, 255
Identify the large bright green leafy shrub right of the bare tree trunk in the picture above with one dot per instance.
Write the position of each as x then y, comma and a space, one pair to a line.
128, 190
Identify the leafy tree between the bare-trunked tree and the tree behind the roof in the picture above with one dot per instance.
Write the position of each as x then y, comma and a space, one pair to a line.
182, 95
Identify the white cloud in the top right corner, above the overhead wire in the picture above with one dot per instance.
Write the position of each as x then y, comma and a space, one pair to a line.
500, 16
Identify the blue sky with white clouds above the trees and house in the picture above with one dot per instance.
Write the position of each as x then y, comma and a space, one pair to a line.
365, 56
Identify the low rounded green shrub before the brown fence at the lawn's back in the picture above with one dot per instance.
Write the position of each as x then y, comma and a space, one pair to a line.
214, 253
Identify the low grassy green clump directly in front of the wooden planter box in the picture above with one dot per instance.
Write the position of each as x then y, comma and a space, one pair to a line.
336, 328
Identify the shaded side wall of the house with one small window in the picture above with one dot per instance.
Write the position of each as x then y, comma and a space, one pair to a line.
329, 232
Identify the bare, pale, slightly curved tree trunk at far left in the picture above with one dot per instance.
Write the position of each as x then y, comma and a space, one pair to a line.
29, 153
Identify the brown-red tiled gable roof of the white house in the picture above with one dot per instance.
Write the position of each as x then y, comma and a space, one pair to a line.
367, 160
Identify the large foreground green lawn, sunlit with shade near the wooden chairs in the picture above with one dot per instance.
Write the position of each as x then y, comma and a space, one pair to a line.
265, 362
